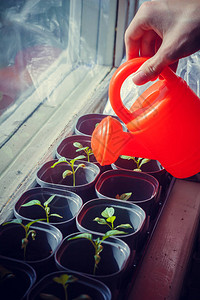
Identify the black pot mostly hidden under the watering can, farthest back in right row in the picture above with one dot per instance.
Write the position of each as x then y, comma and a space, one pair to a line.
153, 167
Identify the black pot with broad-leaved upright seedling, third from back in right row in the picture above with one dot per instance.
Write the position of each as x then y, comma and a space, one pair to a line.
125, 212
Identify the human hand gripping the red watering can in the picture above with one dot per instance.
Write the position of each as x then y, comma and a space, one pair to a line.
165, 31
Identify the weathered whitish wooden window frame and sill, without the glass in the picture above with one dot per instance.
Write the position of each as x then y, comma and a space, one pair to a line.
23, 152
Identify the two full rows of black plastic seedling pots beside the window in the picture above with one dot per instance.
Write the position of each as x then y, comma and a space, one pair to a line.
73, 210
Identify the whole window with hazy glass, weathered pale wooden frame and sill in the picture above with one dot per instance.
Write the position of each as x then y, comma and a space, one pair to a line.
56, 61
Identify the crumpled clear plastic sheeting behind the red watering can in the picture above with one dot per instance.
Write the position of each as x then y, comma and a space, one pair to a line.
188, 69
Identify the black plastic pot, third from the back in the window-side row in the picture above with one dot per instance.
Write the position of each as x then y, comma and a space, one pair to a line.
85, 178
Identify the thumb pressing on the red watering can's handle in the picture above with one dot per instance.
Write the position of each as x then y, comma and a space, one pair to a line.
150, 69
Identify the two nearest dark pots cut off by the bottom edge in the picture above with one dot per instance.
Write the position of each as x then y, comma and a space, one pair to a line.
18, 281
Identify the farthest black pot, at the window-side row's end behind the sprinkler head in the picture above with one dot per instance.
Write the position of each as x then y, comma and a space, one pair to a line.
86, 124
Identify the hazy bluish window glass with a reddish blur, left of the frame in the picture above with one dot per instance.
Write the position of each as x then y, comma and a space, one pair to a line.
33, 33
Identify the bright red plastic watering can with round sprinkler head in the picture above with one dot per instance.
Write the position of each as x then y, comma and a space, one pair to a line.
163, 124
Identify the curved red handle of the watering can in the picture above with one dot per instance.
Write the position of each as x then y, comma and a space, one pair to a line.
119, 77
